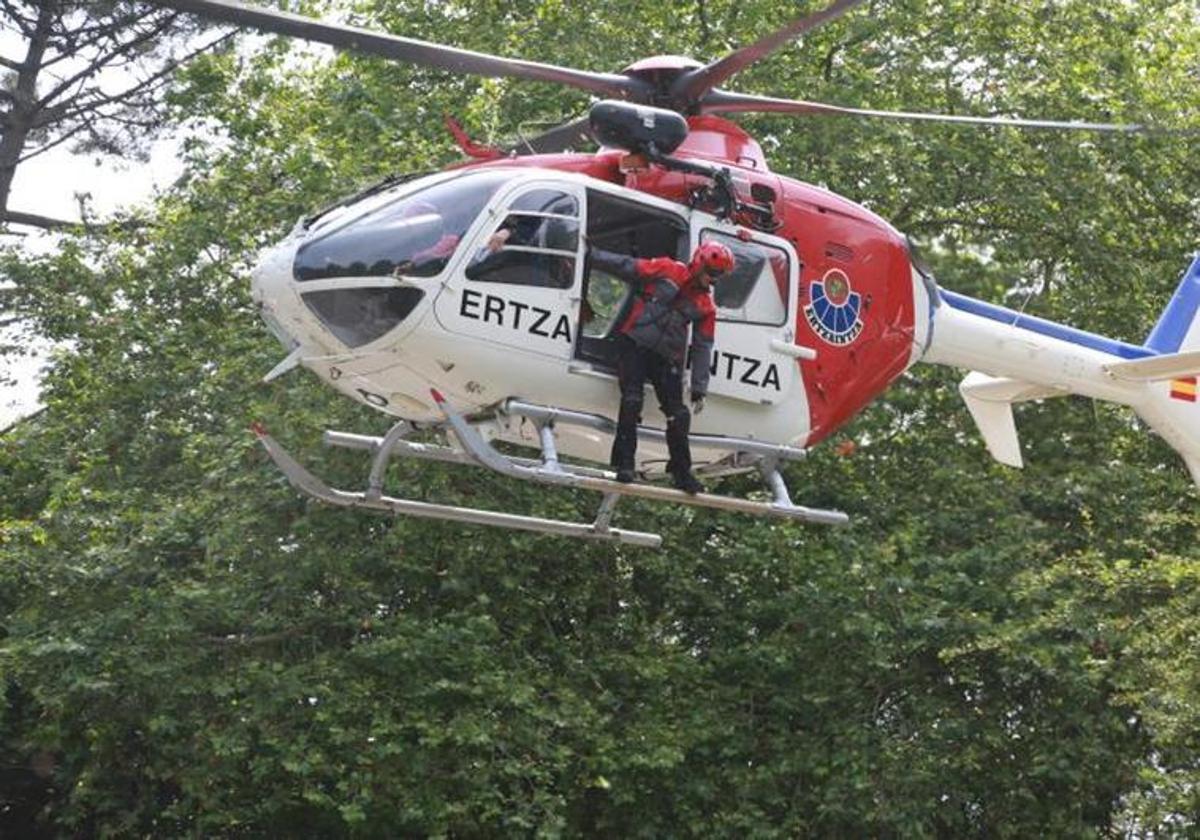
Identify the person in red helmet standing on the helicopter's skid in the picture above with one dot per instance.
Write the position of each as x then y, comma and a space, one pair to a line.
653, 345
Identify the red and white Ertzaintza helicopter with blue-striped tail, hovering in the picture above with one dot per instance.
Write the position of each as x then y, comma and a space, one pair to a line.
399, 298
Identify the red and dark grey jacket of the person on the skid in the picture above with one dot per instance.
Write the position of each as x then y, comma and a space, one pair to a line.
665, 305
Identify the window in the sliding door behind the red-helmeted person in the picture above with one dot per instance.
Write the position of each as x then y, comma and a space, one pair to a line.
757, 291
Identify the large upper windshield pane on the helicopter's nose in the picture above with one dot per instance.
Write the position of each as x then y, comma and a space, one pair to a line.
413, 236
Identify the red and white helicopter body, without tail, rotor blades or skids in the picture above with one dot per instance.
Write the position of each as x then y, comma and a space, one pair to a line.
400, 292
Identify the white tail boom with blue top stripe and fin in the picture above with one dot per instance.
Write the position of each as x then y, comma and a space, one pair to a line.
1016, 358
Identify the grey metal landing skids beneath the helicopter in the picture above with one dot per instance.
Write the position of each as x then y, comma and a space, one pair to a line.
472, 449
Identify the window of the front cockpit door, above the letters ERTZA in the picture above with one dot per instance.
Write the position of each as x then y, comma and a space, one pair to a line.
535, 245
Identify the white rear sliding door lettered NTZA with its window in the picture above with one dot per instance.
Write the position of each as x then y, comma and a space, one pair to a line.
754, 353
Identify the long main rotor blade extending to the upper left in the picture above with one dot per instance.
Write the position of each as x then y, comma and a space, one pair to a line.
359, 40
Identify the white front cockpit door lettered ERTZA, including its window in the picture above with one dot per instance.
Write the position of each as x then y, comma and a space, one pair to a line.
519, 289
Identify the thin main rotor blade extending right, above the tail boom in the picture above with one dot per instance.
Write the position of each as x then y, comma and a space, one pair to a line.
721, 101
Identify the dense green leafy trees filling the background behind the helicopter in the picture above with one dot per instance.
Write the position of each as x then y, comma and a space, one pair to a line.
188, 649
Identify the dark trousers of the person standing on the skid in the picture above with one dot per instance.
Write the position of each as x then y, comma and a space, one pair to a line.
635, 365
